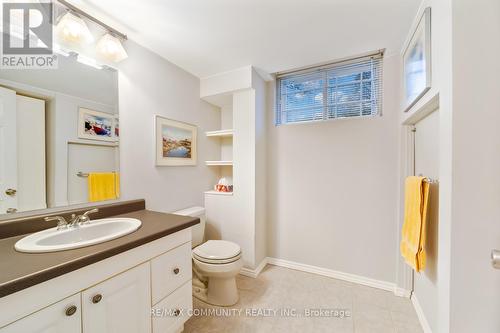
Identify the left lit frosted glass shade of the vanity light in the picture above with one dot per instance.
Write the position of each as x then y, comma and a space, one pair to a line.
73, 29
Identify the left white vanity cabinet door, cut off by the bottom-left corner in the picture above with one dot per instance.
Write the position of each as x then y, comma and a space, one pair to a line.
61, 317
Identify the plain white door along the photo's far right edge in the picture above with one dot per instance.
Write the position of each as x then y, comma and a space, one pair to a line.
475, 285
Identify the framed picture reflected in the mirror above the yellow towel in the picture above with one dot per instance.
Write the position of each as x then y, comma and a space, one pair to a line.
95, 125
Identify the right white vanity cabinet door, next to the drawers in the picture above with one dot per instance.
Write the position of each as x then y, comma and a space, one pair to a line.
119, 305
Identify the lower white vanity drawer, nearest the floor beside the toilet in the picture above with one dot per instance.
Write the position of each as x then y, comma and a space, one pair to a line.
172, 312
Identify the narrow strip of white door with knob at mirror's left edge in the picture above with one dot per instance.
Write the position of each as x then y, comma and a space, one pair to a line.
8, 151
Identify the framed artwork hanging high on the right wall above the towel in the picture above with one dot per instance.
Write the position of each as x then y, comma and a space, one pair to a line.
417, 62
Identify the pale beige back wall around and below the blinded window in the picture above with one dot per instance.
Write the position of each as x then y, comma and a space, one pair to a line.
332, 189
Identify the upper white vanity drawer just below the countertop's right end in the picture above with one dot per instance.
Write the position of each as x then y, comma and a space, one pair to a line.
170, 271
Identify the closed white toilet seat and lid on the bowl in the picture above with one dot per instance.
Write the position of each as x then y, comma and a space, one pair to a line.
217, 252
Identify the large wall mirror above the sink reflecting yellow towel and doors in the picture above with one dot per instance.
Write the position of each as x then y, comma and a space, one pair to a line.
59, 136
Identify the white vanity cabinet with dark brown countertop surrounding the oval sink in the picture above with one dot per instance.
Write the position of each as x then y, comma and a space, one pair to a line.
140, 282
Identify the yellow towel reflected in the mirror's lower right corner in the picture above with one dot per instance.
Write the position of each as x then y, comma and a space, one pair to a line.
103, 186
